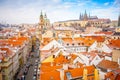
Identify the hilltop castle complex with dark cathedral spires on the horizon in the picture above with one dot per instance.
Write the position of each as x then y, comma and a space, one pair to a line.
85, 20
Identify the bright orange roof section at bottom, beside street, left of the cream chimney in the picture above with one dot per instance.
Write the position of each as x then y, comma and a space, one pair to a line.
49, 72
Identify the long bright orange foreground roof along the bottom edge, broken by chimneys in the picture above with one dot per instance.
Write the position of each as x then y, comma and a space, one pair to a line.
52, 72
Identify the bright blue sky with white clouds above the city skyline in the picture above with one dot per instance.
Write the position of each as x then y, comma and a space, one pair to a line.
28, 11
